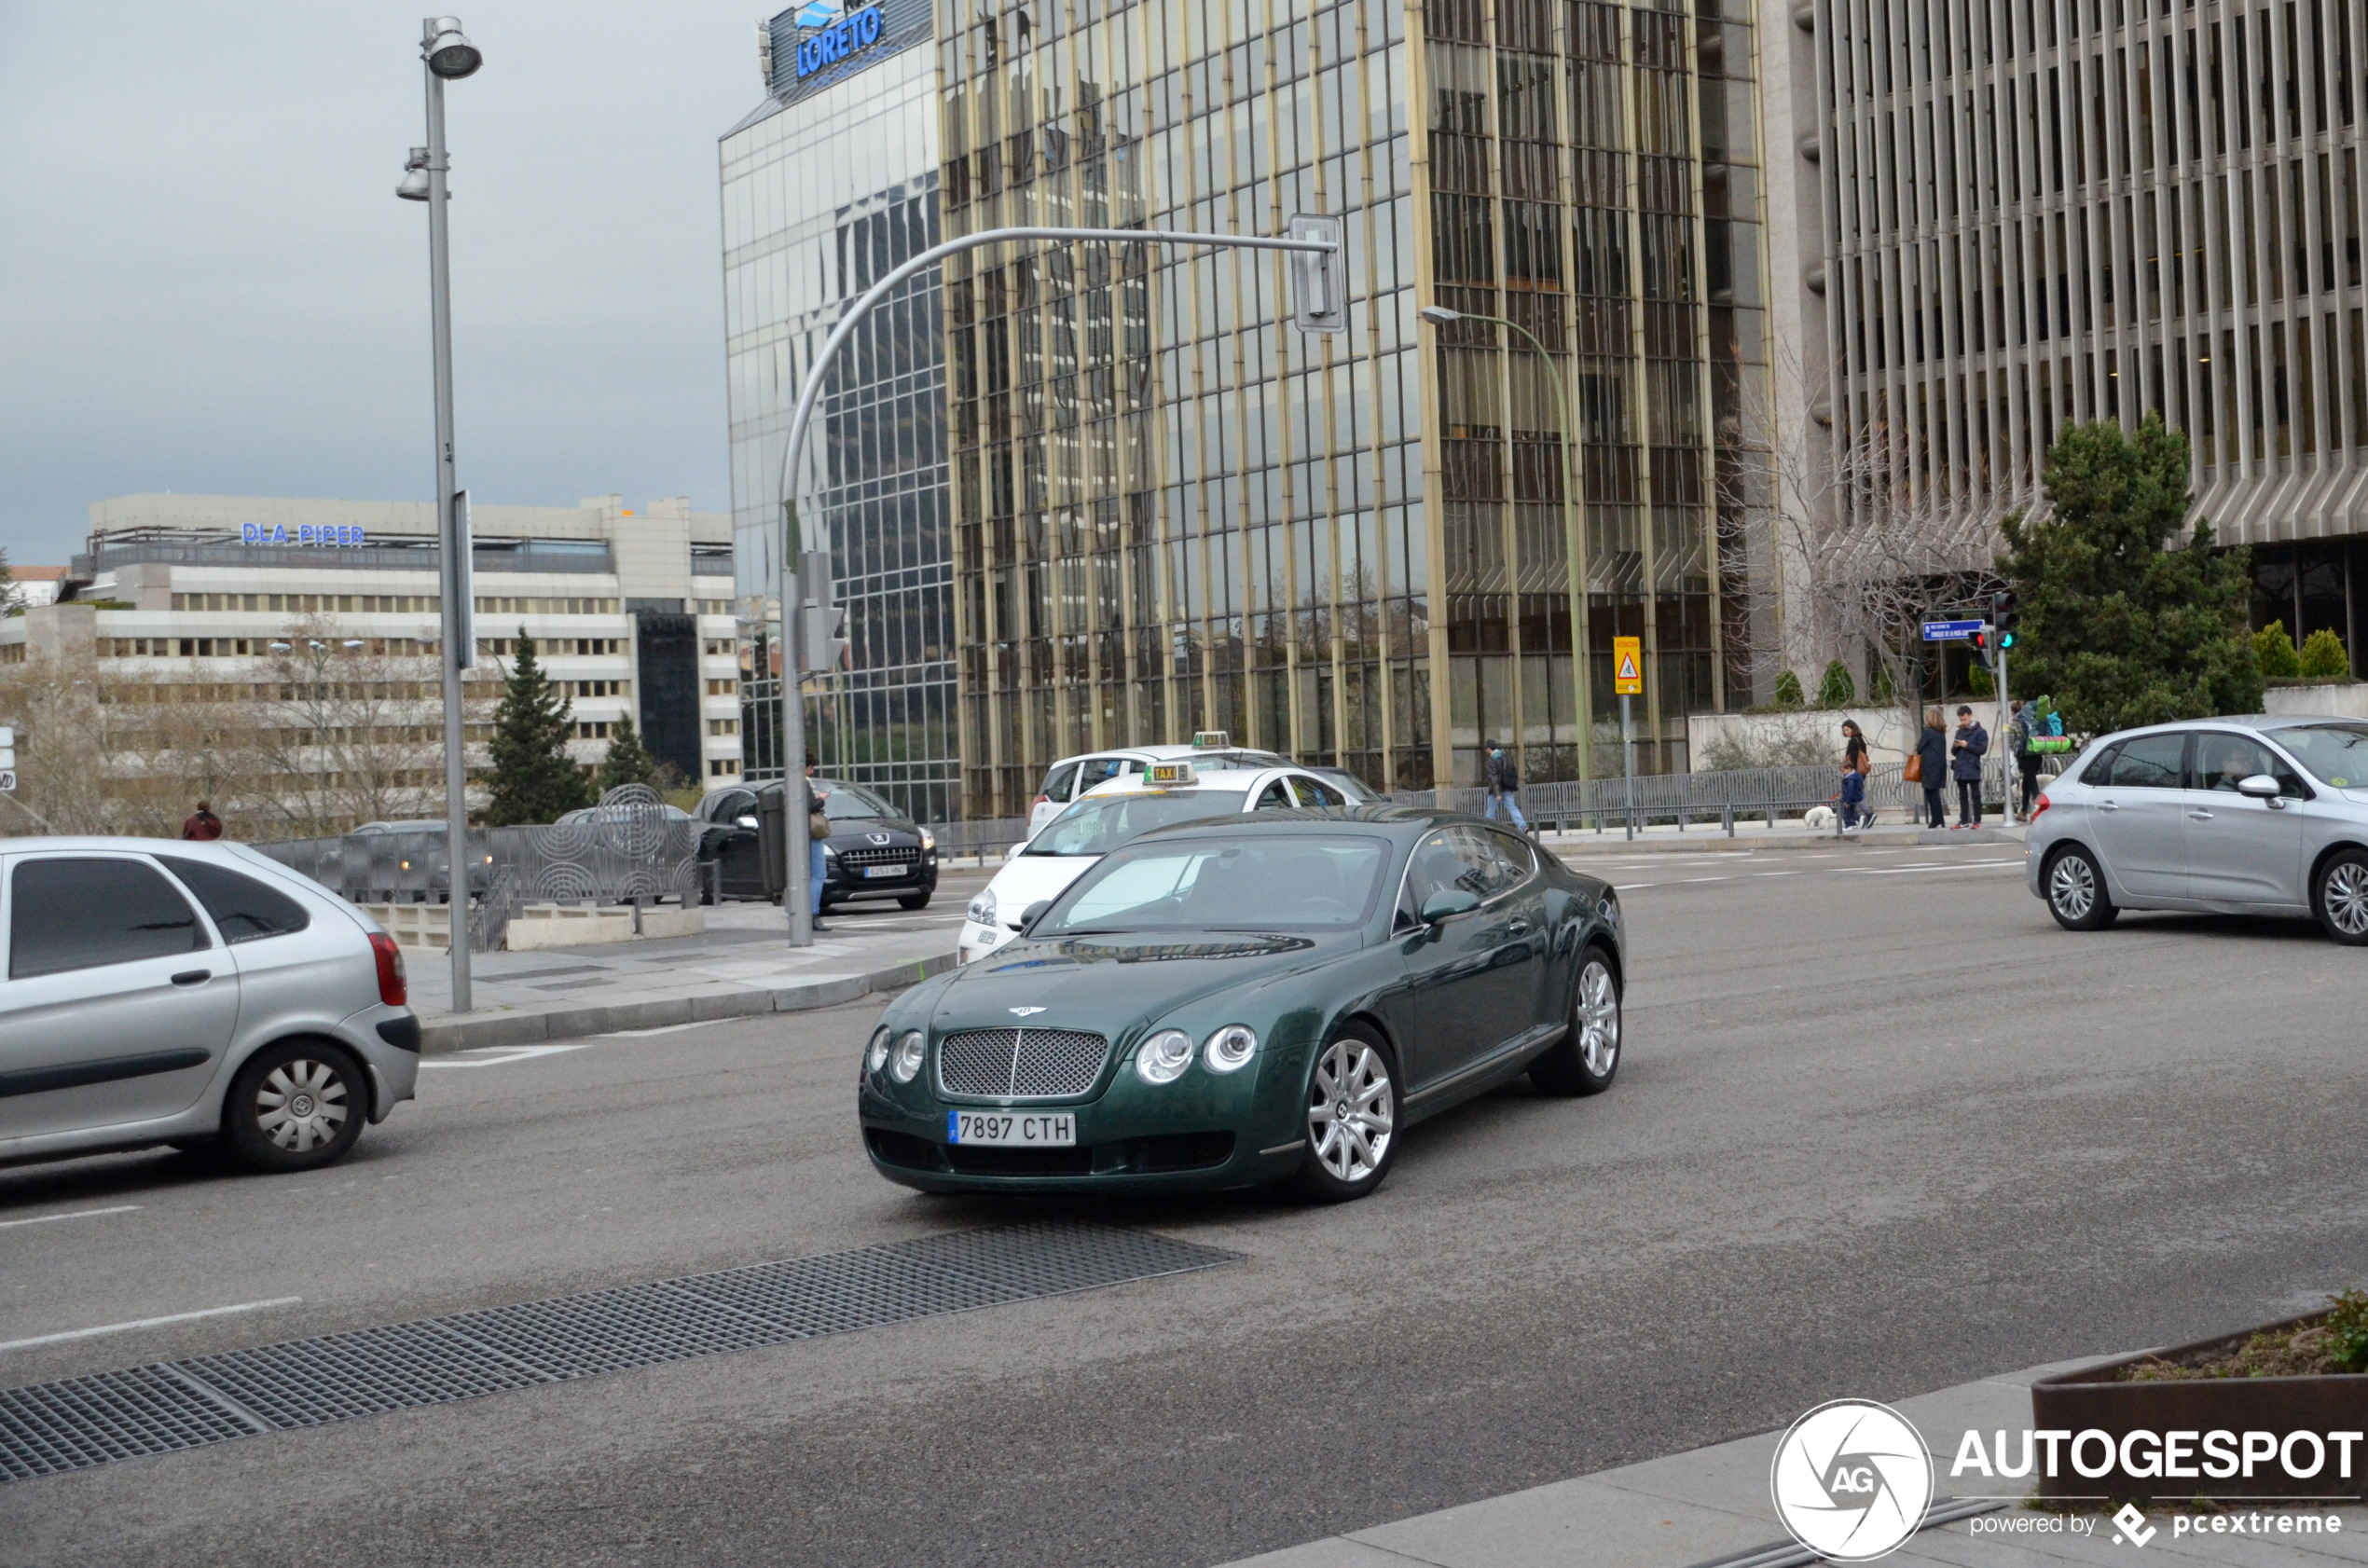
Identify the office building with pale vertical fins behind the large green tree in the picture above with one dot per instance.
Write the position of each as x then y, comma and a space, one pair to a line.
2097, 210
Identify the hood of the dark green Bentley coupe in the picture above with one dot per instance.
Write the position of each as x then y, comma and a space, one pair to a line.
1112, 984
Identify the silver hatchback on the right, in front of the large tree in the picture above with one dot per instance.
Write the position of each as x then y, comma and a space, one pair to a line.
2258, 816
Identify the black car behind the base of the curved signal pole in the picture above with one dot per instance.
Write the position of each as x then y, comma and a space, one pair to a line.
873, 852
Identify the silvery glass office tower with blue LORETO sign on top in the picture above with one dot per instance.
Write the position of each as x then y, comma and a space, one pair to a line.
828, 186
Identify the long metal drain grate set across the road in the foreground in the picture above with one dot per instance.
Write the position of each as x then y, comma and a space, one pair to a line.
155, 1410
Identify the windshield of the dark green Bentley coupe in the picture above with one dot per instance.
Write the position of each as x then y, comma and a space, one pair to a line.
1266, 882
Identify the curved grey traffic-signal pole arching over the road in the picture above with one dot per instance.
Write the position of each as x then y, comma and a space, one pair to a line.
1320, 307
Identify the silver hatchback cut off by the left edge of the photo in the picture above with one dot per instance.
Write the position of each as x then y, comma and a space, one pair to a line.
191, 994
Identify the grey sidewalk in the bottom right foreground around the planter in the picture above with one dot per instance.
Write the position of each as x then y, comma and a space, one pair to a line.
1711, 1510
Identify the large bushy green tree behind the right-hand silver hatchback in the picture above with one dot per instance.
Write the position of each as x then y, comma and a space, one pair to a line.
2123, 622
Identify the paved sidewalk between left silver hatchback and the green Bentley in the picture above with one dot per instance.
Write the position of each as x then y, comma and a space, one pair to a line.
742, 968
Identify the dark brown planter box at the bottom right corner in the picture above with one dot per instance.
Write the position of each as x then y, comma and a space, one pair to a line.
2092, 1401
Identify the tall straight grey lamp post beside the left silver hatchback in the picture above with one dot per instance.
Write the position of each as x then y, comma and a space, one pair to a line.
449, 56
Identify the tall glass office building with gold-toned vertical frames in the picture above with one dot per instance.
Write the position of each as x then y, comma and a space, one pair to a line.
1173, 513
